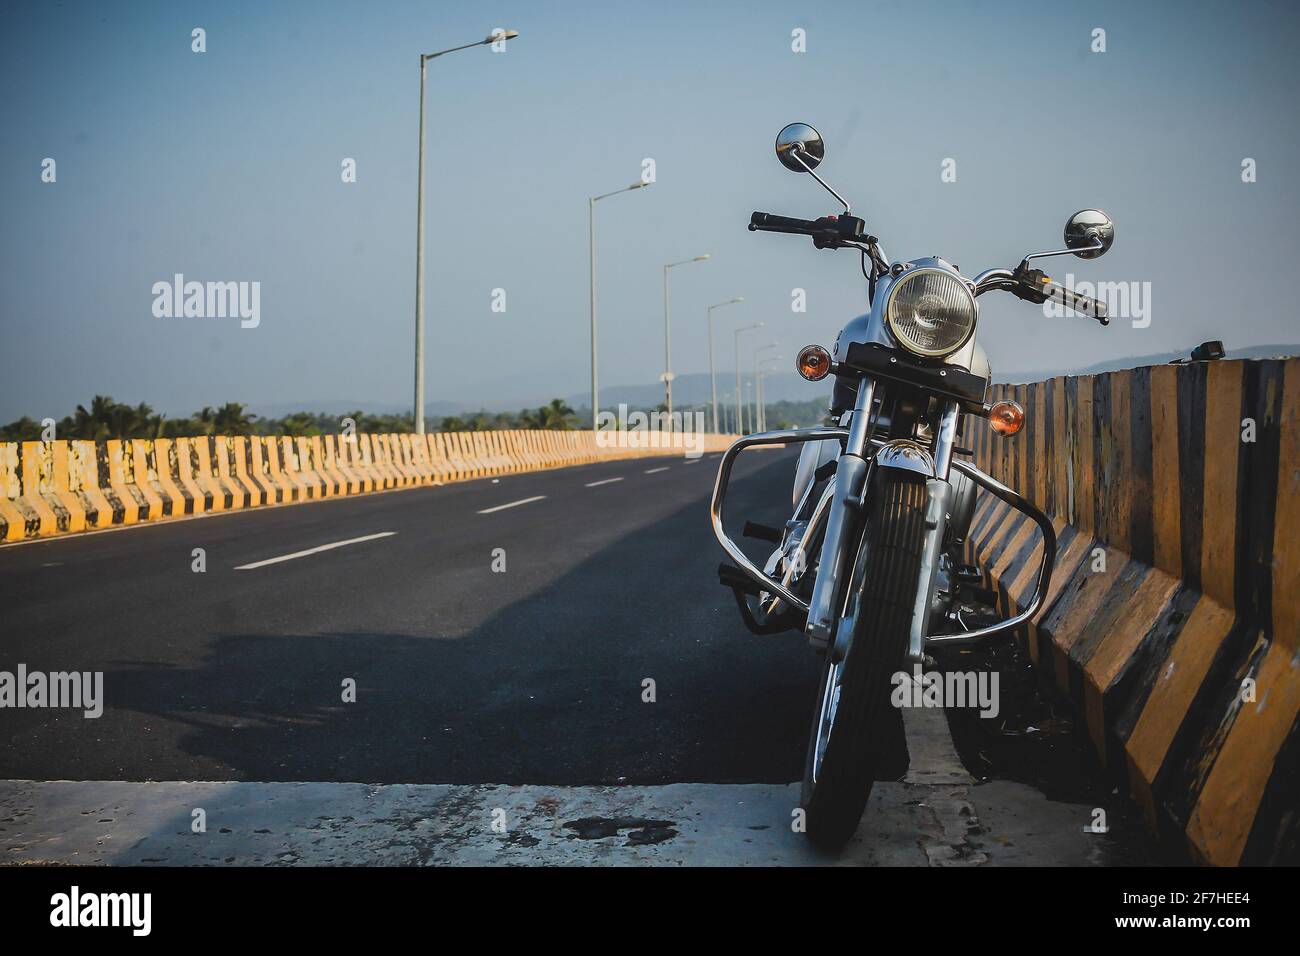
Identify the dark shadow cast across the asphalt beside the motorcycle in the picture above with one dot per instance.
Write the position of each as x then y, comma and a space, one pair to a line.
548, 690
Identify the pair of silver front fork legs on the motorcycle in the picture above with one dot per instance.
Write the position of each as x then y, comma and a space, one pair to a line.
851, 487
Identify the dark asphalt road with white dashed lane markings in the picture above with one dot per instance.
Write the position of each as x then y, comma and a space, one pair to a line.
463, 674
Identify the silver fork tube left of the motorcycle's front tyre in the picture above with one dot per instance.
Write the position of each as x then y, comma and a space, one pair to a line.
850, 479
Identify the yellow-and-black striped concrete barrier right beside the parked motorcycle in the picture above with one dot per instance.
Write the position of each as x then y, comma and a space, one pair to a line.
1175, 611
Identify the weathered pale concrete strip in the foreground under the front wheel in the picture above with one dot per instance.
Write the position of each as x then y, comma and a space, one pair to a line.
934, 817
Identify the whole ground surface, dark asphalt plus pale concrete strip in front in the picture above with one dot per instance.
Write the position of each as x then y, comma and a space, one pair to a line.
500, 716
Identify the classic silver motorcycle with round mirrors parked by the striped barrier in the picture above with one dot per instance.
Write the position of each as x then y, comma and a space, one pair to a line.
870, 564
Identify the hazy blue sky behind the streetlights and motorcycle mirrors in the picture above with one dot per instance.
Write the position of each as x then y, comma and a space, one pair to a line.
226, 166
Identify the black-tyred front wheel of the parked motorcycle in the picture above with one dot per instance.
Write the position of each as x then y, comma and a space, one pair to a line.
850, 724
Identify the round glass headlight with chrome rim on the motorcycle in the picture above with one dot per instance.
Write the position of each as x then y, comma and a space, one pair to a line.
931, 313
